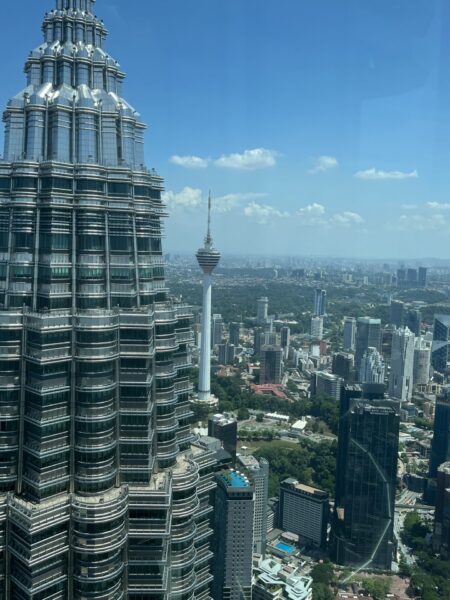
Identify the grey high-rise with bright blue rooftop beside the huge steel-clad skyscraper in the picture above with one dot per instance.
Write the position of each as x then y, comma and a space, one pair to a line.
233, 537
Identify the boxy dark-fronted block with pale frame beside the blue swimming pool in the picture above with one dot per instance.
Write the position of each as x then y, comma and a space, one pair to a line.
304, 511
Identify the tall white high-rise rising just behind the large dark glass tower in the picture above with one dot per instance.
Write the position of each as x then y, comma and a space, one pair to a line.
402, 365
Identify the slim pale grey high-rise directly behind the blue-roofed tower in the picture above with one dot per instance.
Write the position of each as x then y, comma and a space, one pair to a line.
258, 473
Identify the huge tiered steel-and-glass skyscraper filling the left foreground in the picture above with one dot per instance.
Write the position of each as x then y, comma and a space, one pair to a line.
102, 495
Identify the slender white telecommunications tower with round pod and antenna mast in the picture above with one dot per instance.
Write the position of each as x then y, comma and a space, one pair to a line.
208, 259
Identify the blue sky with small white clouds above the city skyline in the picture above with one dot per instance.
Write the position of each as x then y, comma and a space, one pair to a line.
321, 126
